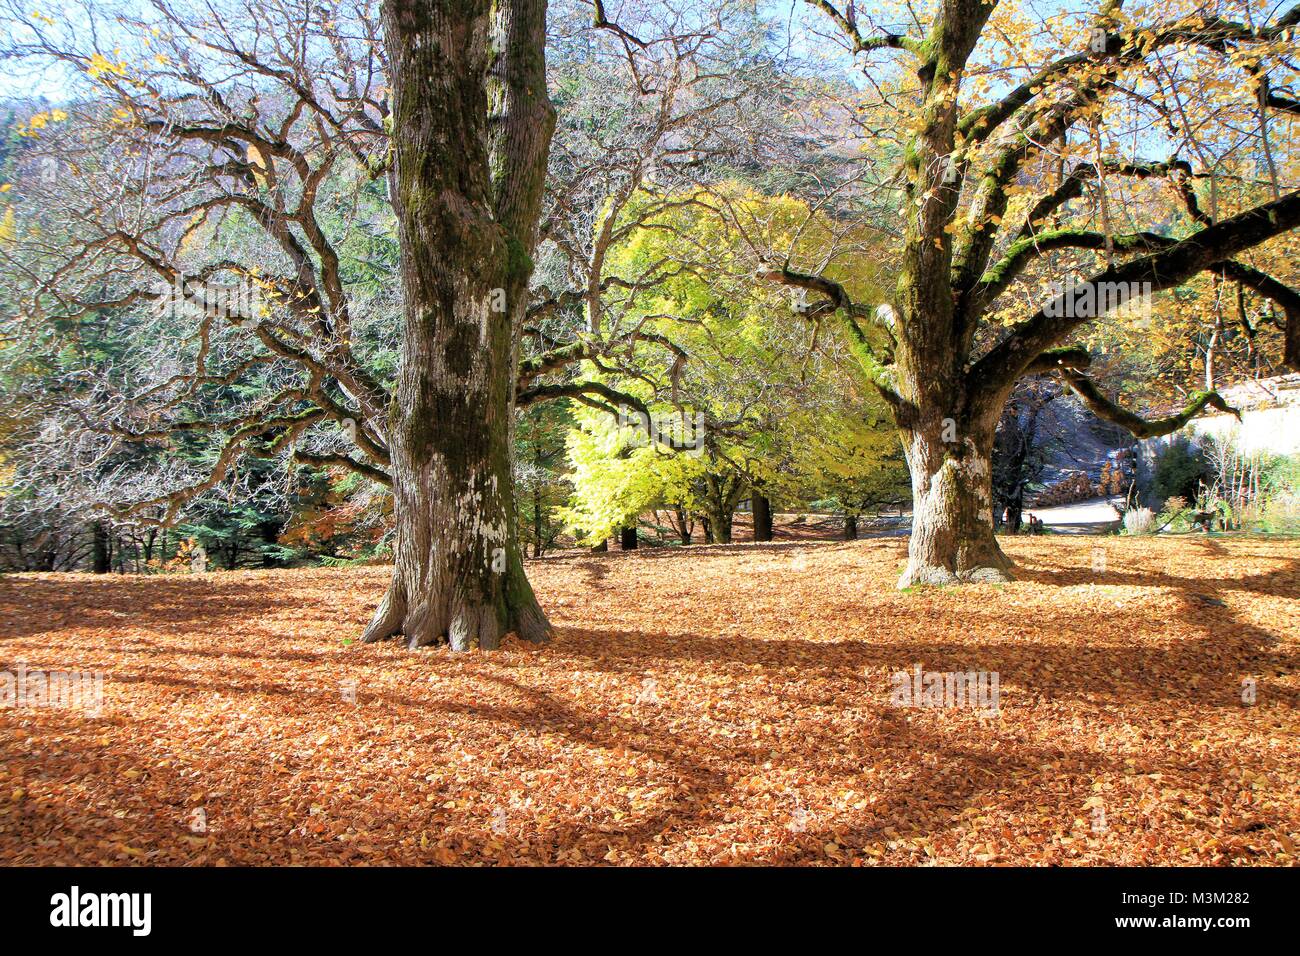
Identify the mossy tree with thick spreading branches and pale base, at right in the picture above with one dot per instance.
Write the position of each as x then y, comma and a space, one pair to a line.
935, 352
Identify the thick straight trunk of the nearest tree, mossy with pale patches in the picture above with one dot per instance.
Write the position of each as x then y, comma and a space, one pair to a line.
471, 124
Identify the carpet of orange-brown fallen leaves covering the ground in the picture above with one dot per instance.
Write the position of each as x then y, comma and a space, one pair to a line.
714, 706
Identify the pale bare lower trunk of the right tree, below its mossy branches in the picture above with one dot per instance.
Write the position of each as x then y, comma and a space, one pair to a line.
952, 527
